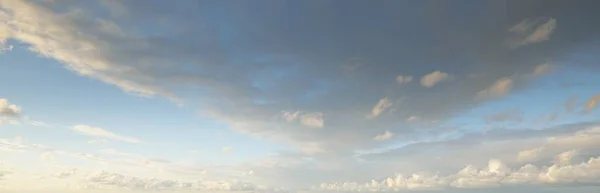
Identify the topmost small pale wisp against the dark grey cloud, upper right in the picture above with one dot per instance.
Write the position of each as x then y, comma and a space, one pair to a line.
531, 31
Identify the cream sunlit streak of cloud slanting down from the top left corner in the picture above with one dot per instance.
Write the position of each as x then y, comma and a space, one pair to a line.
77, 41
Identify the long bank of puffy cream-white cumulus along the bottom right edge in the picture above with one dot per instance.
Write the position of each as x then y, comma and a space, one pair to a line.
496, 174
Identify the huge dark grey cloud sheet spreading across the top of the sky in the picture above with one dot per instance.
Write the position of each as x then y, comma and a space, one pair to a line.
265, 58
